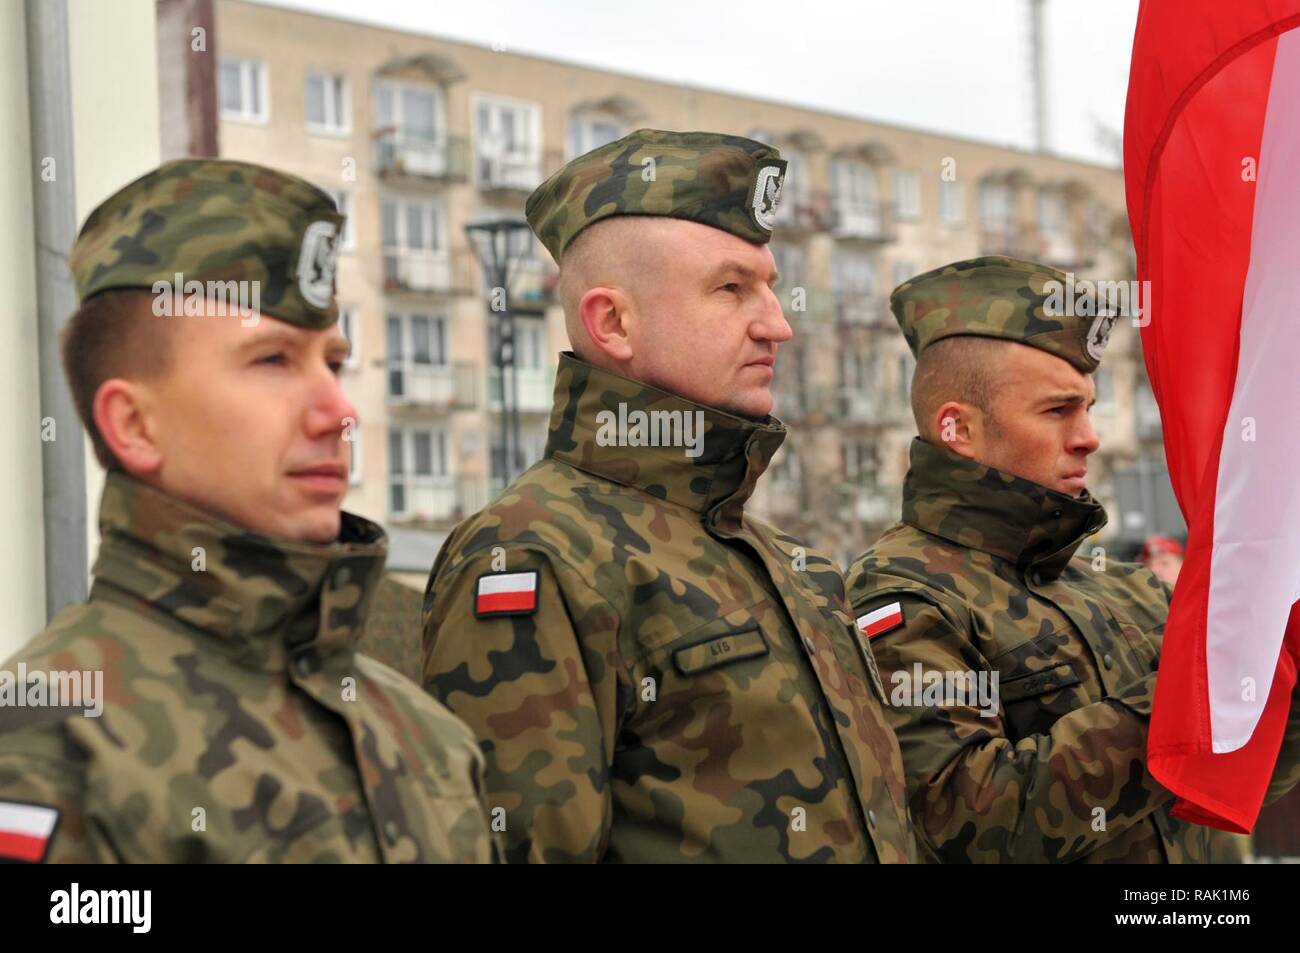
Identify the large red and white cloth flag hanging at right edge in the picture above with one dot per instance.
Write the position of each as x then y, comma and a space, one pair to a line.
1212, 151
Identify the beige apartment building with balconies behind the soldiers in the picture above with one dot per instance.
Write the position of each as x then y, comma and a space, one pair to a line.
419, 137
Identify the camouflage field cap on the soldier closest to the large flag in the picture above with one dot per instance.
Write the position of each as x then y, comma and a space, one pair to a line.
999, 297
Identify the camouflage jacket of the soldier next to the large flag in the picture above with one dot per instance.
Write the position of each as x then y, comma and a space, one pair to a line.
982, 577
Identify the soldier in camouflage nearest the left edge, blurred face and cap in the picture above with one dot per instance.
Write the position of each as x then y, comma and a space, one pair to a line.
236, 722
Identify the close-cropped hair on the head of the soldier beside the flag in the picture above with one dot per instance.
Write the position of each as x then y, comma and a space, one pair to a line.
964, 369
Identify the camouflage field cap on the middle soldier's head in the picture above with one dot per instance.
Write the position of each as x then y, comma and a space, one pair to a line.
725, 181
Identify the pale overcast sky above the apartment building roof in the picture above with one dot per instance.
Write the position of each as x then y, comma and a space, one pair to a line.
959, 67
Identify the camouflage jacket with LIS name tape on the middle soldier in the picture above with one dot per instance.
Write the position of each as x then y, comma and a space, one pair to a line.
679, 682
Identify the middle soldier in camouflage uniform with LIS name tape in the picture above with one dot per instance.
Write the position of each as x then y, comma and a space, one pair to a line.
656, 675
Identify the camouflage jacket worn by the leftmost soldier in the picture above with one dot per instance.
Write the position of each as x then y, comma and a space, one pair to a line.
239, 724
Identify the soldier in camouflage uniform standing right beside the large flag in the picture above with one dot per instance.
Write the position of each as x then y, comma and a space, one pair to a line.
985, 575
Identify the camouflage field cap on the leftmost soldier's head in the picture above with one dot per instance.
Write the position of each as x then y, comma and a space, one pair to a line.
215, 220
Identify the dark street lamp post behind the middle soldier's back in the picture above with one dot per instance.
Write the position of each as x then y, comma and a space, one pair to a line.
500, 245
